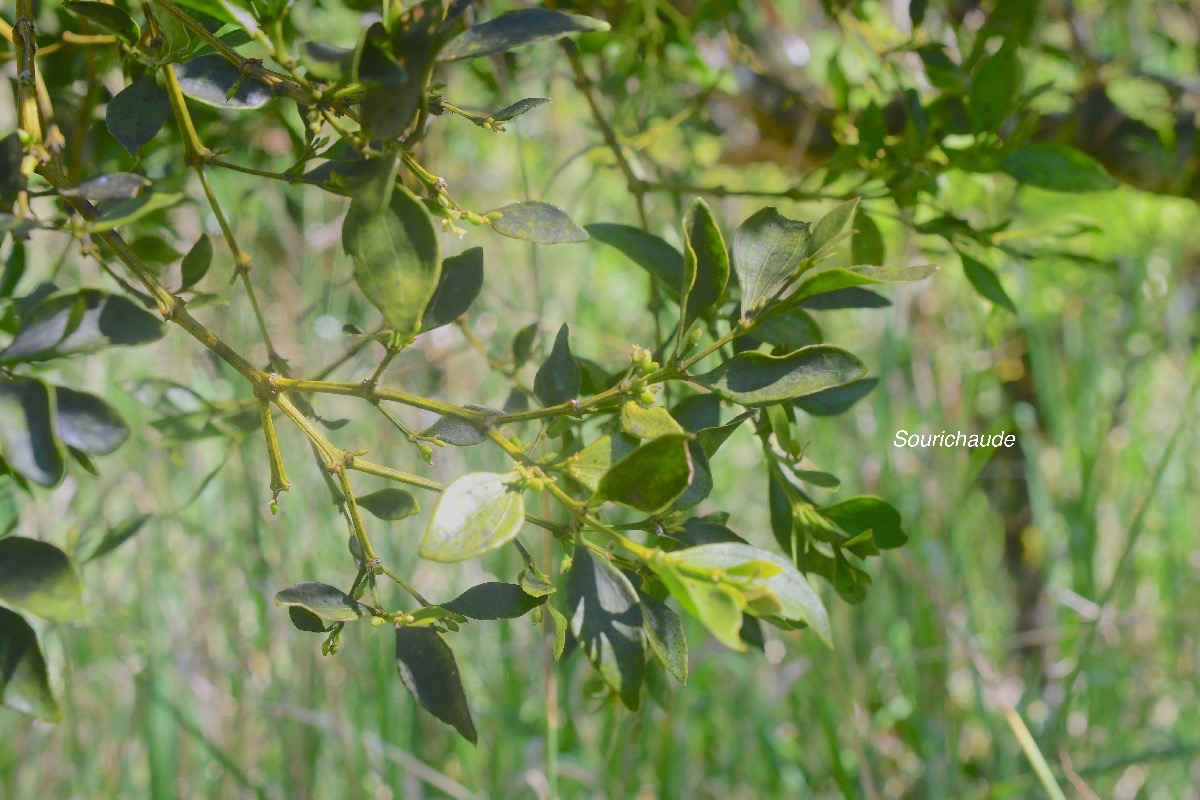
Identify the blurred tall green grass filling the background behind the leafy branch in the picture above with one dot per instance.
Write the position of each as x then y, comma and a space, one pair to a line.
187, 682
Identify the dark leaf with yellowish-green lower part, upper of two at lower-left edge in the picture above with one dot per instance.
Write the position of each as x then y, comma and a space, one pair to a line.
38, 578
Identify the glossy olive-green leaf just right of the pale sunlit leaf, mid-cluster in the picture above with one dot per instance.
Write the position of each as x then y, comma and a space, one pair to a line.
652, 477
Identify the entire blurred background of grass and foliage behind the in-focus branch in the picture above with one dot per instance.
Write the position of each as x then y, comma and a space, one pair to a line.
1049, 593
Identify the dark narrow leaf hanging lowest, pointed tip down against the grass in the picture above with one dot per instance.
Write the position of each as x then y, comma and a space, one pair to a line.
430, 673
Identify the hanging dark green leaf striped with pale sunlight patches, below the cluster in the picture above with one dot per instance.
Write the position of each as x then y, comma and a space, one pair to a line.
607, 619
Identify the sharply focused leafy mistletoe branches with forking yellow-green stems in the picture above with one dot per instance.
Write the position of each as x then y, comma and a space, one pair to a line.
627, 470
